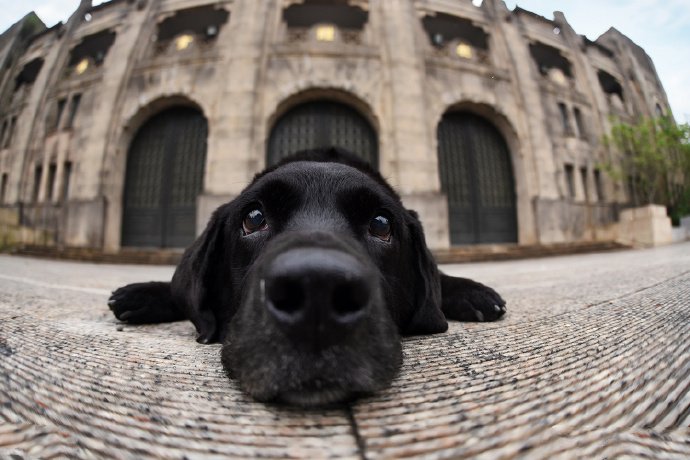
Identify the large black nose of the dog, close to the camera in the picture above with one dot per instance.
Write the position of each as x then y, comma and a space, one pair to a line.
317, 294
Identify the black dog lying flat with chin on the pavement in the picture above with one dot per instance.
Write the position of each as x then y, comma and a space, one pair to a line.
308, 278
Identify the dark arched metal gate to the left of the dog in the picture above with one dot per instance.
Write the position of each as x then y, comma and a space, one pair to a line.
165, 172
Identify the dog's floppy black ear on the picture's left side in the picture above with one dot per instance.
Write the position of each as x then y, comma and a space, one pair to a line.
195, 284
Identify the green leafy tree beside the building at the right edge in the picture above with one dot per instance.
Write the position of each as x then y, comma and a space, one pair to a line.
654, 162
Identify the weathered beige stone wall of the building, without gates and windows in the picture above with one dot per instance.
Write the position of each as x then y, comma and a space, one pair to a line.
254, 68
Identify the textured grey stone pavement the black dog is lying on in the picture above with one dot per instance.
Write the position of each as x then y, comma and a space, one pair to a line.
592, 361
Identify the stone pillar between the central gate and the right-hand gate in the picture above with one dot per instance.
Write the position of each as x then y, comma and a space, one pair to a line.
411, 158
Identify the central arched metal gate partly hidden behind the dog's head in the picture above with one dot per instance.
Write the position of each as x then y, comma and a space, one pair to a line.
322, 124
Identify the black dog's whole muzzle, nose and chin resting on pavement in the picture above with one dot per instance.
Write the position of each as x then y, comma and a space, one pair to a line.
313, 326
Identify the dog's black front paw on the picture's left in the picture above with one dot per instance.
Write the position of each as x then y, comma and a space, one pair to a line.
143, 303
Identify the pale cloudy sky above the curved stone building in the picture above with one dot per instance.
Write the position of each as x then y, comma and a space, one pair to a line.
661, 27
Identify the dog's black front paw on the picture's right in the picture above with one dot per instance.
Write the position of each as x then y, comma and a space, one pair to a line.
467, 300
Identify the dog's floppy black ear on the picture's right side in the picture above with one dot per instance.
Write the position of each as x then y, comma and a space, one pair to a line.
427, 317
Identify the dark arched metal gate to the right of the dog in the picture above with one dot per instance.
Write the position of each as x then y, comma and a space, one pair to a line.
477, 177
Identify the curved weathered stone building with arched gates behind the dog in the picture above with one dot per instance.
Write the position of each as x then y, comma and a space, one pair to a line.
127, 125
